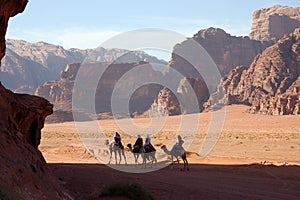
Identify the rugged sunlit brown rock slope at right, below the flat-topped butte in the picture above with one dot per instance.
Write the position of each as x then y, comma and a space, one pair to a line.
271, 84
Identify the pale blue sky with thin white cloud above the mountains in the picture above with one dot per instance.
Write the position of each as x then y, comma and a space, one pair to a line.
86, 24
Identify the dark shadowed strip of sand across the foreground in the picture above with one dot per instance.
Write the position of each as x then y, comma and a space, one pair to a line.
85, 181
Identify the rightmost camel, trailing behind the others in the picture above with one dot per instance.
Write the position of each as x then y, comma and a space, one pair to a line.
177, 151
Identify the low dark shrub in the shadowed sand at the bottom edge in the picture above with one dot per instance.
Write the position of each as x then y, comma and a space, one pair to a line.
132, 191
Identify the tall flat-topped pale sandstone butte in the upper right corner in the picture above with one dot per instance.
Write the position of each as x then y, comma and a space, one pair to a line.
270, 24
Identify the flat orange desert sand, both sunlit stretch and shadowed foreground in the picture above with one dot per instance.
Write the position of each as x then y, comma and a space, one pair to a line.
255, 157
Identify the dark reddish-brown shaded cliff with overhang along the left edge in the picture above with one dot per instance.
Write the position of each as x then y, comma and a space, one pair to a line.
23, 170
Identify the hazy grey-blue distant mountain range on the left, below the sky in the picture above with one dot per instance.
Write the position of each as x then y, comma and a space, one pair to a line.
28, 65
